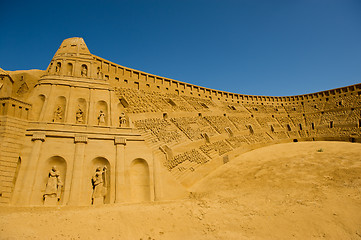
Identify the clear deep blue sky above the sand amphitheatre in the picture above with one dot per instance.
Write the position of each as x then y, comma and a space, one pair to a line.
259, 47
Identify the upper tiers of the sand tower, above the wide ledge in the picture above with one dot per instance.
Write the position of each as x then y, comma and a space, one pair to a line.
73, 90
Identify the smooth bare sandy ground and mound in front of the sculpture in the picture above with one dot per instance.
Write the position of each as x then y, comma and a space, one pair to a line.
308, 190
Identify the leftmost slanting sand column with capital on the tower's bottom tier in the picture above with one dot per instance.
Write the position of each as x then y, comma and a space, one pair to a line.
32, 169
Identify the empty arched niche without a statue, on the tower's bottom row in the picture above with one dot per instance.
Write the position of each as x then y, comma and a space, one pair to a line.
139, 181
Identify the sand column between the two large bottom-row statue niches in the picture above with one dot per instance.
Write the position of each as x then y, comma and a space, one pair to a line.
77, 176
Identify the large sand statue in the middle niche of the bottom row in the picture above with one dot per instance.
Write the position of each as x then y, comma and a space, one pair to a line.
99, 184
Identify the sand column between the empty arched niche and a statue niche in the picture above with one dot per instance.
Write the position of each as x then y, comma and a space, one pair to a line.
120, 143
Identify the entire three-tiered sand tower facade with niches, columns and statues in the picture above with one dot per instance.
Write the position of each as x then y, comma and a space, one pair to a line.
74, 135
